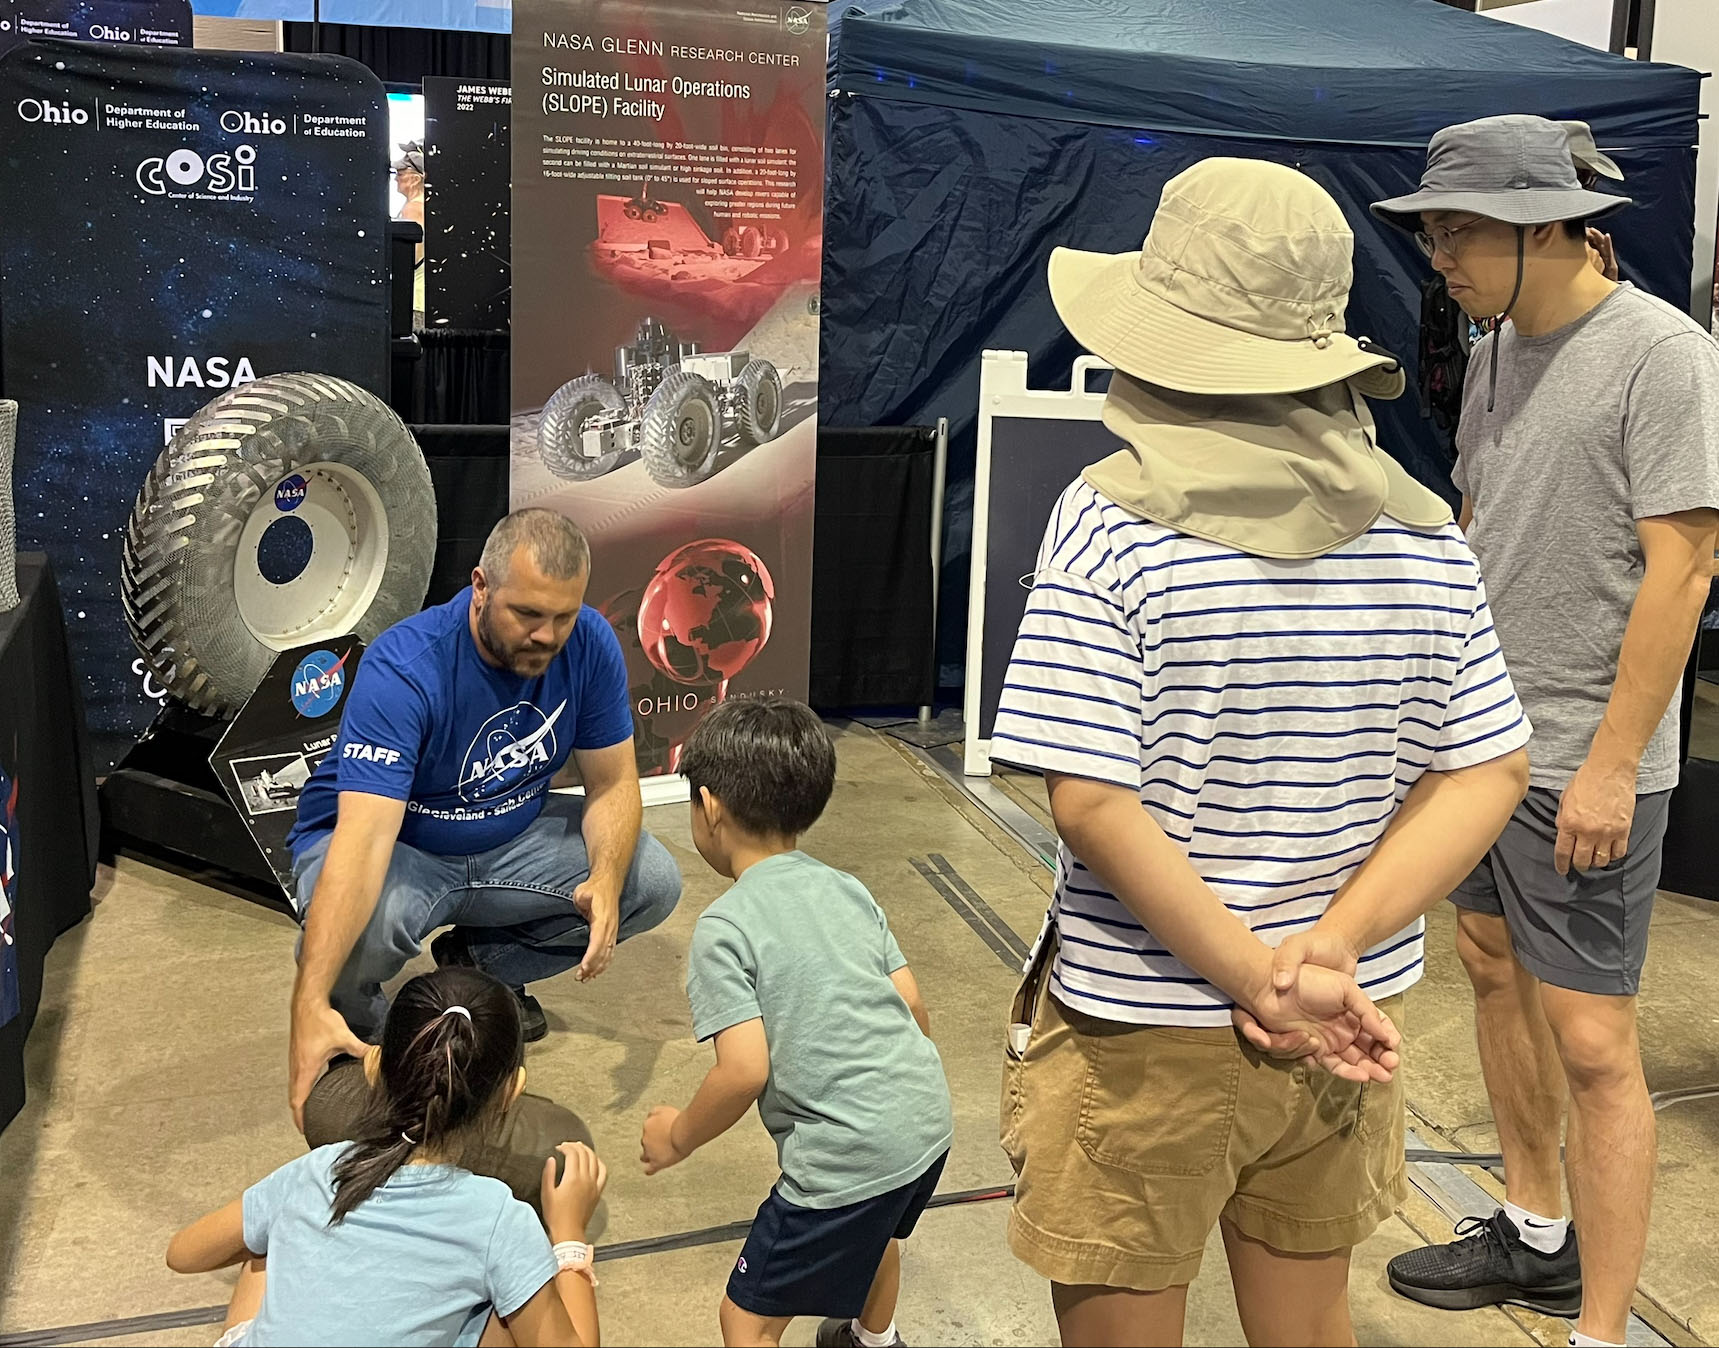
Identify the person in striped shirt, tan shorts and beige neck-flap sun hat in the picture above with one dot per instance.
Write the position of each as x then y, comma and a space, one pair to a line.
1261, 678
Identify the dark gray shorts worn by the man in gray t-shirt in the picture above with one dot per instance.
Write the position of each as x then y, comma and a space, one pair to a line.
1586, 931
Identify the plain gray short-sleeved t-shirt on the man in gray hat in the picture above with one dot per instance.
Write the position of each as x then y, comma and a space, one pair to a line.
1610, 420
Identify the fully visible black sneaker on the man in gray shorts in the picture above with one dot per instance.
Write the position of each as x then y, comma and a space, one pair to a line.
1491, 1266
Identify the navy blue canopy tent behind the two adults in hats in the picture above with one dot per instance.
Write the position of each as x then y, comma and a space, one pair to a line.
969, 138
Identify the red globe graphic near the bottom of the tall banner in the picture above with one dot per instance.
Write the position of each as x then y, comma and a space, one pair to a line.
707, 611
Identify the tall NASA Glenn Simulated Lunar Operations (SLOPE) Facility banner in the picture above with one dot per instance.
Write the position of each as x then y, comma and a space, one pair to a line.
668, 245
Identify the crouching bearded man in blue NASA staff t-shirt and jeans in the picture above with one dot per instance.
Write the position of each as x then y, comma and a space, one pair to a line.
434, 807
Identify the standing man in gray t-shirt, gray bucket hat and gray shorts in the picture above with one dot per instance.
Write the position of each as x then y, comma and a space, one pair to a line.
1589, 467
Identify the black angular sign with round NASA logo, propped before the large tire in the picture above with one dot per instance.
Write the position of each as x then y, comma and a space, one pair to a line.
281, 737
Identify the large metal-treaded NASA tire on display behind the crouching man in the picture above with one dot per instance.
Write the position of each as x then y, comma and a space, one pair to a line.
305, 448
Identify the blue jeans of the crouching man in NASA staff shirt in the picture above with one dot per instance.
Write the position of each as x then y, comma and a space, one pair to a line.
515, 905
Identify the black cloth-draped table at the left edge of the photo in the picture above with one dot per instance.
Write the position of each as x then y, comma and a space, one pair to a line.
46, 751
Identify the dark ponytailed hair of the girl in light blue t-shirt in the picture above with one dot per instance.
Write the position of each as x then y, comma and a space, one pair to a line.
443, 1074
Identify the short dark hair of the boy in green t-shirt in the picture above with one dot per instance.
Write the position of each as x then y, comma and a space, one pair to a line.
769, 761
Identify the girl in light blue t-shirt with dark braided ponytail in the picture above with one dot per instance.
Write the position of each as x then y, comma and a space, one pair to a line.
391, 1241
